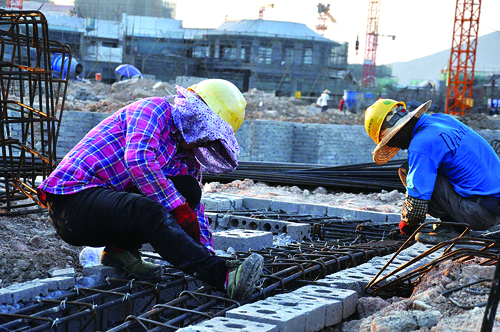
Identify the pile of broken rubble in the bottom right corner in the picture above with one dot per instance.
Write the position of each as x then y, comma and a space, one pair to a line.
427, 309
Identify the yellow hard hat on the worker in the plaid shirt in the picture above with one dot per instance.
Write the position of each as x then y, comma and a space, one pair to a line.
224, 98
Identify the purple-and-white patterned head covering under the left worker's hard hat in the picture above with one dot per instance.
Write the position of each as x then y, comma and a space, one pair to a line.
198, 124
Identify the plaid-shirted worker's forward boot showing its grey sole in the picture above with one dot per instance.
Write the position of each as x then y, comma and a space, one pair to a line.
243, 276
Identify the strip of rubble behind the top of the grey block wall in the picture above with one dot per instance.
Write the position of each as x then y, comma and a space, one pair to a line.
105, 98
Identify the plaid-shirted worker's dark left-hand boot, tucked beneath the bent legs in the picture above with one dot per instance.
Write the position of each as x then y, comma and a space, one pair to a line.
132, 262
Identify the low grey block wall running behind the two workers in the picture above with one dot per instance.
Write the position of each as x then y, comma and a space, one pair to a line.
271, 141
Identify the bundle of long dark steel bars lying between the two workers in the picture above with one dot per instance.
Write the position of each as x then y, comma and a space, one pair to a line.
357, 177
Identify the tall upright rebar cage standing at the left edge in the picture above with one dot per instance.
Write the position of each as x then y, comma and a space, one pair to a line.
32, 99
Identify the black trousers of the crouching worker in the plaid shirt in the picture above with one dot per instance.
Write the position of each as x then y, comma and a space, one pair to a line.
99, 216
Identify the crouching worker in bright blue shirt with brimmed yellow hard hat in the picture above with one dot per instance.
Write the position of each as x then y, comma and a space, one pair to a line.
451, 173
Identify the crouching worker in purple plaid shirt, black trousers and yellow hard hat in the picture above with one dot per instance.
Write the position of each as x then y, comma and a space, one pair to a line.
135, 178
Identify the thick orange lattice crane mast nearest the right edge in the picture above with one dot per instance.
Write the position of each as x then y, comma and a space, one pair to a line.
463, 57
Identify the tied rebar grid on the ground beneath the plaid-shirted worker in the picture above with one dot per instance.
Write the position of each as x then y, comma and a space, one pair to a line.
286, 268
